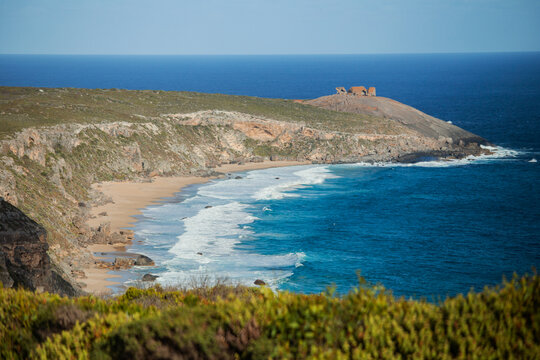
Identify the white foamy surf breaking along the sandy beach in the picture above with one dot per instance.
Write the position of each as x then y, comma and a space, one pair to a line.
213, 233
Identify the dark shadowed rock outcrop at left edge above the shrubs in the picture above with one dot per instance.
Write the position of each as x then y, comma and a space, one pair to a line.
24, 261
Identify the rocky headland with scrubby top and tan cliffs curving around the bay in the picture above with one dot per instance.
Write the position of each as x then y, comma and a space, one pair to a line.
56, 143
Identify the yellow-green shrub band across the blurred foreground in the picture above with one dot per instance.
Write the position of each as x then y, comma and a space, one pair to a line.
225, 322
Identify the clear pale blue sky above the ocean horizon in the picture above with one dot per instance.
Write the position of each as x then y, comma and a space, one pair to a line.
267, 26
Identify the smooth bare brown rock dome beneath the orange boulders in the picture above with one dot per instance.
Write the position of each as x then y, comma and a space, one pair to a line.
412, 118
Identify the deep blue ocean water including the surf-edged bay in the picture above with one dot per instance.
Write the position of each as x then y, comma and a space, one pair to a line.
432, 229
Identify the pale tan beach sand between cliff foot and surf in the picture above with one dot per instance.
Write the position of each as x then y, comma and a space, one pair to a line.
130, 197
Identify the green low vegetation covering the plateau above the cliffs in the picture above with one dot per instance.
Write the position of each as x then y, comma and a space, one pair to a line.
22, 107
